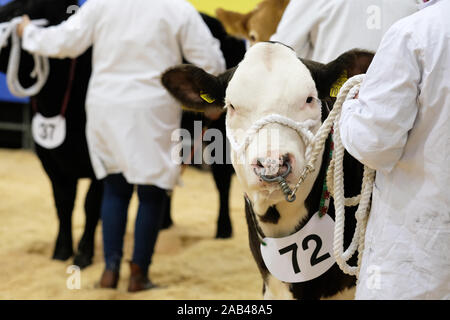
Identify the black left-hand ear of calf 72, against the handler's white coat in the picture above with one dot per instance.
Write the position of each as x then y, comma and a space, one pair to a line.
196, 89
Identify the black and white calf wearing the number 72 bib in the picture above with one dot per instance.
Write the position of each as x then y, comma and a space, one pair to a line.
272, 80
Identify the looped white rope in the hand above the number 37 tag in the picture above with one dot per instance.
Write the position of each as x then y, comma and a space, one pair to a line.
41, 64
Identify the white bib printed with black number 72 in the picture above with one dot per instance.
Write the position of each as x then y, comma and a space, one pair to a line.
304, 255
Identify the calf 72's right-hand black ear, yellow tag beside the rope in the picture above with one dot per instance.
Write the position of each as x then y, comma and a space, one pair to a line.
330, 77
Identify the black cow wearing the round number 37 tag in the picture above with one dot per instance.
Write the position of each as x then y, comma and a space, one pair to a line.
66, 164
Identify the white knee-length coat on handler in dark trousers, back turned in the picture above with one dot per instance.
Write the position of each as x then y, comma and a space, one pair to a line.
130, 116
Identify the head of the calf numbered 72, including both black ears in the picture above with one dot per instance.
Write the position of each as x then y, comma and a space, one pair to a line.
271, 80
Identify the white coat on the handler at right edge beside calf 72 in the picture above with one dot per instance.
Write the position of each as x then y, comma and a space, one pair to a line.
400, 126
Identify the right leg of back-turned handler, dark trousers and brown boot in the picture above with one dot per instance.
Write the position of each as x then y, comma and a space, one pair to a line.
152, 202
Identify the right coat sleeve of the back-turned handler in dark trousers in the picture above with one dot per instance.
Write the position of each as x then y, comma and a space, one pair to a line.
198, 44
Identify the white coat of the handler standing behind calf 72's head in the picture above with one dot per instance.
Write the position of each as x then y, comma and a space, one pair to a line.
321, 30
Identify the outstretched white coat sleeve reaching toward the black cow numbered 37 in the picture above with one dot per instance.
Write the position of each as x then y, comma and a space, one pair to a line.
68, 39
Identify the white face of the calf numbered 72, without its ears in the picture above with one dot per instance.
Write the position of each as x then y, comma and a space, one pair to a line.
270, 80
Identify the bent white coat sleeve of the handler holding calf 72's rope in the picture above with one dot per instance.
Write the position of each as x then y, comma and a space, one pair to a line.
374, 128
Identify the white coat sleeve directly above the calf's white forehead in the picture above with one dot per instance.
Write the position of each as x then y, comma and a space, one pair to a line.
294, 29
